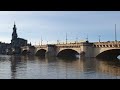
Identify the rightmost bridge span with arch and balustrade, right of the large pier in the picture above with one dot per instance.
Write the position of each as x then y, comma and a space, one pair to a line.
106, 49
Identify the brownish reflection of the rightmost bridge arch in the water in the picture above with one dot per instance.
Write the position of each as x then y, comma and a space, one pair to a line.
110, 67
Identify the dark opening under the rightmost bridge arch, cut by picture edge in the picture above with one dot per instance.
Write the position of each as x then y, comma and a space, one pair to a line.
109, 54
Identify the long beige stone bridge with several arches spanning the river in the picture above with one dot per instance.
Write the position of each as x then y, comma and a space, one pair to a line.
85, 49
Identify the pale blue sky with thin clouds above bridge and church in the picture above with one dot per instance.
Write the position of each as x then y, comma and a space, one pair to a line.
53, 25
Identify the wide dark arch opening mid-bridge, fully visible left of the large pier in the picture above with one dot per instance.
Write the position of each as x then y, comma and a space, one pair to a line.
68, 53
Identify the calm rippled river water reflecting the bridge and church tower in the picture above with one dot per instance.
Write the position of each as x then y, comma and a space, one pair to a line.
24, 67
